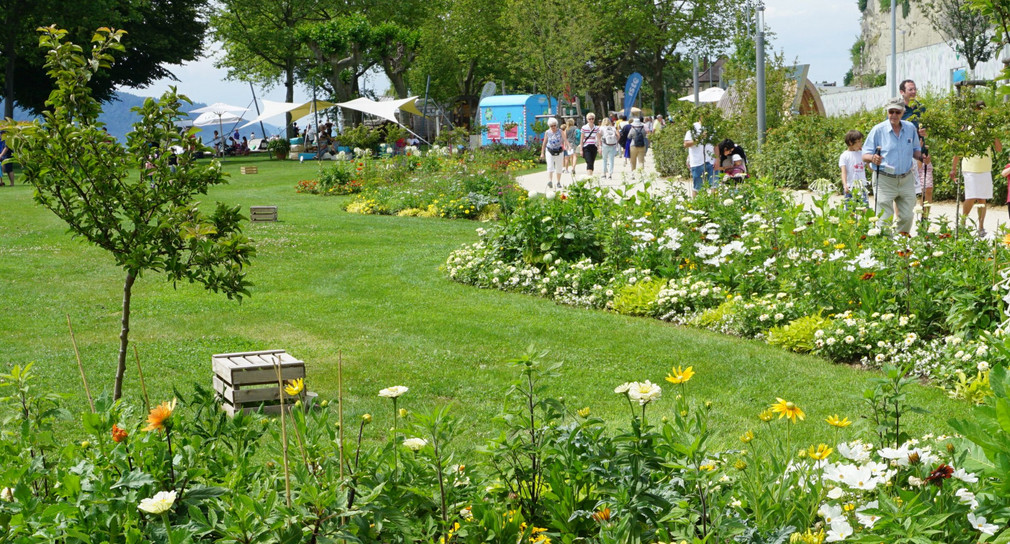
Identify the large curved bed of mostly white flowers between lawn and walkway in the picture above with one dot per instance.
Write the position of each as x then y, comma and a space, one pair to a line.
753, 263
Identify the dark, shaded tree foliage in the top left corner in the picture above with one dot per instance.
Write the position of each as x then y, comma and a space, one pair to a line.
160, 33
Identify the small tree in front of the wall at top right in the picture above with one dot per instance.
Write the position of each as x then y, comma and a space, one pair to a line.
969, 32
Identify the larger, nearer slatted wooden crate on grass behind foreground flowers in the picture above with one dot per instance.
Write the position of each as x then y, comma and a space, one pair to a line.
248, 381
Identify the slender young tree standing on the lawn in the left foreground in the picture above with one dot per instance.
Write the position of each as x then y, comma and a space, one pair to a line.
148, 222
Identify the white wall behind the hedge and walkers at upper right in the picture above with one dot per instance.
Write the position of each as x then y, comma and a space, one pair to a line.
931, 68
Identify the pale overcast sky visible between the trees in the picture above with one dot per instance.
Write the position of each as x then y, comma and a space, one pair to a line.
819, 33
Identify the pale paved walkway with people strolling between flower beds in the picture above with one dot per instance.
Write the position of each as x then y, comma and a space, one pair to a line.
538, 183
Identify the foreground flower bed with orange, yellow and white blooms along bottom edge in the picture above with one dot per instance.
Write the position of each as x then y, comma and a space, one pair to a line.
555, 474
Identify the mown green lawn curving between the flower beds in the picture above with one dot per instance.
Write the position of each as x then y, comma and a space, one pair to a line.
370, 288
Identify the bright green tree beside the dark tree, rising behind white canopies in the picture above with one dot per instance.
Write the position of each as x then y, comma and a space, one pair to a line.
261, 40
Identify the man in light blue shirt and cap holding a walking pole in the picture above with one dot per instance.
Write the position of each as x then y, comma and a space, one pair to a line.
891, 147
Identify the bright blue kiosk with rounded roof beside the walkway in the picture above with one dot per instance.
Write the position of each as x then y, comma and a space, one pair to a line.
510, 118
